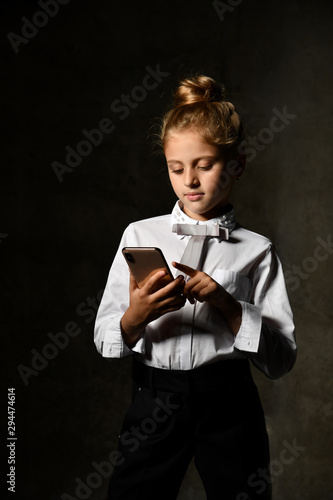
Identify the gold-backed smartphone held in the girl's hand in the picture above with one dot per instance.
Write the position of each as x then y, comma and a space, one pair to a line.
146, 261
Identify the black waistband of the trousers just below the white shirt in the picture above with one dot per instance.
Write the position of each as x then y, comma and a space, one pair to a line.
183, 381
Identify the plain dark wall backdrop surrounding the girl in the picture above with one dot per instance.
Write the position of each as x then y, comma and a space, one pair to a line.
58, 239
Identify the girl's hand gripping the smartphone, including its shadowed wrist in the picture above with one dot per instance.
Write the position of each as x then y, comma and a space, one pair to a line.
147, 305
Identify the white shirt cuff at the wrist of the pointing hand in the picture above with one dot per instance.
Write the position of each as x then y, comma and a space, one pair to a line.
248, 336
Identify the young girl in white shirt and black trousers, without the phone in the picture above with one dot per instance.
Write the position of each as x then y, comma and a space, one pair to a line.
191, 341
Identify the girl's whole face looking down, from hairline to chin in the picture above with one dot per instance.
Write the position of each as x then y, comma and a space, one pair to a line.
197, 174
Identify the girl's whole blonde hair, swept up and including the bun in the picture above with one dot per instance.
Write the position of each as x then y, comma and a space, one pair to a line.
199, 103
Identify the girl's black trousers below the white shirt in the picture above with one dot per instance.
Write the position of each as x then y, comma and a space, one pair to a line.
212, 413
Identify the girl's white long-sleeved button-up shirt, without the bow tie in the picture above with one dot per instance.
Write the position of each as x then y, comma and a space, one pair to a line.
246, 265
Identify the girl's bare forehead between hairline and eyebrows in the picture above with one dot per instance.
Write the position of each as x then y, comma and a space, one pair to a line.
188, 144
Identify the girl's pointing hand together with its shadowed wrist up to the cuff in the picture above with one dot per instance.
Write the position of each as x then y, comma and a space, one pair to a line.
203, 288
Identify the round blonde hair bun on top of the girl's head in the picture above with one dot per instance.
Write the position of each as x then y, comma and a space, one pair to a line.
198, 89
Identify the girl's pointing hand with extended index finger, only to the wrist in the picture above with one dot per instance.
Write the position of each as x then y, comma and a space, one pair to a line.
201, 287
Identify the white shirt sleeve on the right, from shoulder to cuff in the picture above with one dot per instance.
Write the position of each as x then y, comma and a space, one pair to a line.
267, 324
